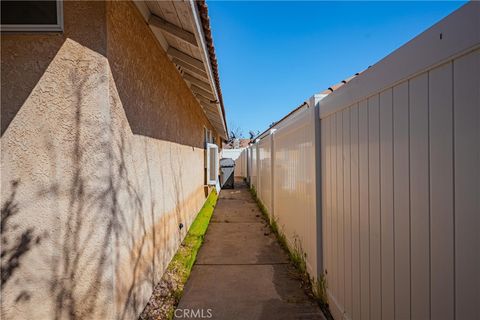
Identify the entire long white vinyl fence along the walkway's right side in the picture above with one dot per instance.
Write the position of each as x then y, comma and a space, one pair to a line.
394, 224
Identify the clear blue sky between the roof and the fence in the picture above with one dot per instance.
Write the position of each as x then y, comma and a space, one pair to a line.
274, 55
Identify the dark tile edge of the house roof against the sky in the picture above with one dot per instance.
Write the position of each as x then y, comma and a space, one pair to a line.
203, 10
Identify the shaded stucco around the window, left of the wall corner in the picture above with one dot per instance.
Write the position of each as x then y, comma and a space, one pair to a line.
25, 56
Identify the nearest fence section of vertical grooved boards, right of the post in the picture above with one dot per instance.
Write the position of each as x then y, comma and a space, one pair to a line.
401, 189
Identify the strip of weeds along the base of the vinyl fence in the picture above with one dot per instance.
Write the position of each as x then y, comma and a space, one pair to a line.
317, 289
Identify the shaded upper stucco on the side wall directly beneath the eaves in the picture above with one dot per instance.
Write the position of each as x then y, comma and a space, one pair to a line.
168, 112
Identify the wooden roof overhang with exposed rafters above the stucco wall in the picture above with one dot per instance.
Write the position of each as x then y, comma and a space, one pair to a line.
183, 30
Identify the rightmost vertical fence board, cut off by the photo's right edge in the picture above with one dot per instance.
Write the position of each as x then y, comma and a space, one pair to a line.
466, 115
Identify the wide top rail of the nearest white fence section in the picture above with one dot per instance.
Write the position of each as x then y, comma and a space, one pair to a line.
455, 35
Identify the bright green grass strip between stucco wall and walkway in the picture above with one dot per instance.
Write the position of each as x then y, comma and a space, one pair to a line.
169, 290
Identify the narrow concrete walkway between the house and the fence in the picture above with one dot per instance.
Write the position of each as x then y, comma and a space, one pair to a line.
241, 271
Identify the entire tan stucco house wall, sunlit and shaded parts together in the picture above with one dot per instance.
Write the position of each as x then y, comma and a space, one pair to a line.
100, 163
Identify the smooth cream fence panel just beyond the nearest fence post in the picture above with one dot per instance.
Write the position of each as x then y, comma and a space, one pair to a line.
294, 184
